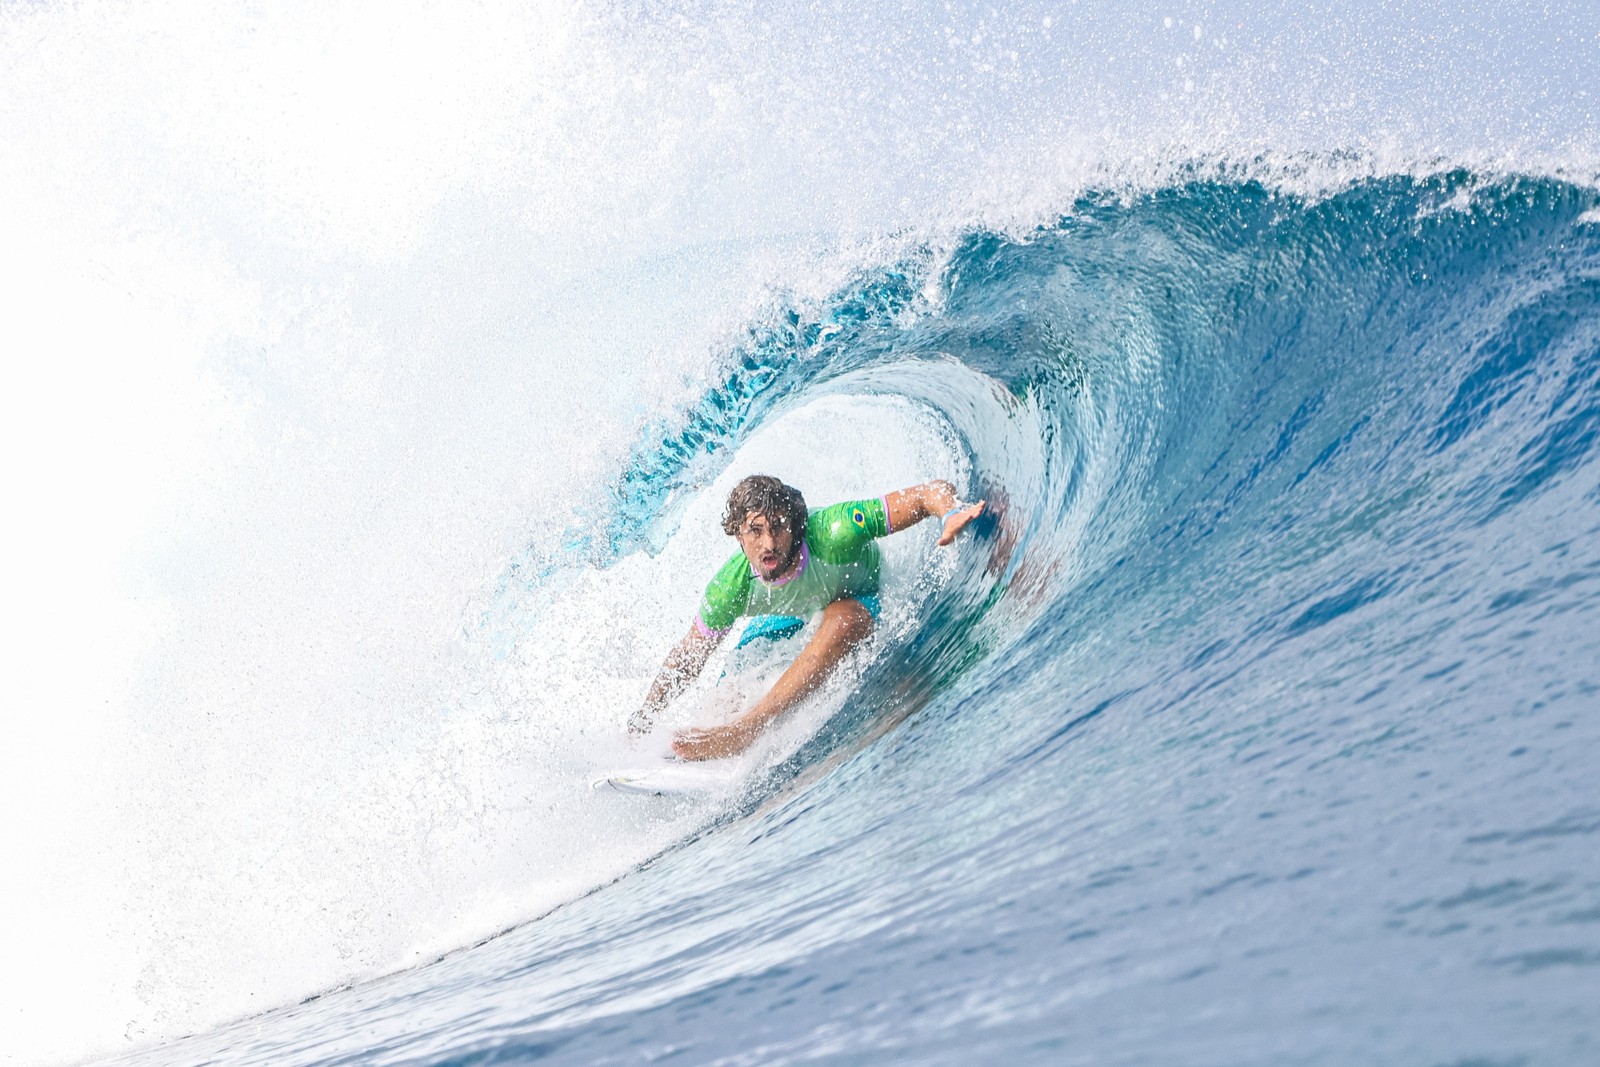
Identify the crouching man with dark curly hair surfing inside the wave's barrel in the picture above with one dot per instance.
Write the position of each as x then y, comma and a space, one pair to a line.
791, 565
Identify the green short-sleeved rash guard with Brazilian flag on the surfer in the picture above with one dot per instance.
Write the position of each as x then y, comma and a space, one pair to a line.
838, 559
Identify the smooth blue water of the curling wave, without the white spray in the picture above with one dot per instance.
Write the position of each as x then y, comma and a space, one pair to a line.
1255, 725
